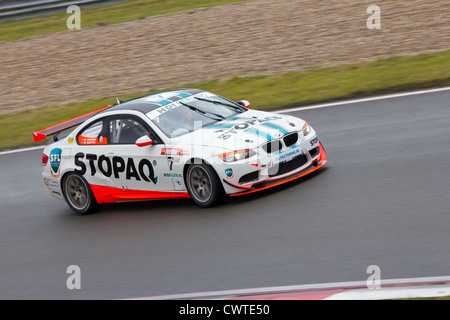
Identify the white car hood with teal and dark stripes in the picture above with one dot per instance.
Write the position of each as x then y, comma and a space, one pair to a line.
247, 130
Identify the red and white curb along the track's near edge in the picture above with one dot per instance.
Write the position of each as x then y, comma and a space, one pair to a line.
387, 289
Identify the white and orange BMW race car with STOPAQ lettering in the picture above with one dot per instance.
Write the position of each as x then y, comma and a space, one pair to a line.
177, 144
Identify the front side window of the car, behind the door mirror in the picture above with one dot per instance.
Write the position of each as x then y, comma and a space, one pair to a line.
126, 131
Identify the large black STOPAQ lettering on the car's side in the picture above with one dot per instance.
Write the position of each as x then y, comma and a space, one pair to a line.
115, 166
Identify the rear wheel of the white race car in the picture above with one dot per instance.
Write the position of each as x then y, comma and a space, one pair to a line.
78, 194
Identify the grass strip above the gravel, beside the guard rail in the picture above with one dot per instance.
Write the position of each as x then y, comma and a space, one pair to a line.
107, 14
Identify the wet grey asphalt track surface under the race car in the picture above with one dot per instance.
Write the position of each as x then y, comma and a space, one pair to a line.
383, 199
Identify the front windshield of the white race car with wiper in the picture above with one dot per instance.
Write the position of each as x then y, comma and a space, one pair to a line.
192, 113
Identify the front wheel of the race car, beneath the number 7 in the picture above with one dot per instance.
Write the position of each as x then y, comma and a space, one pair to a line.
204, 185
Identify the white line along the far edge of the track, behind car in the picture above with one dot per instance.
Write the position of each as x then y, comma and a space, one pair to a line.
317, 106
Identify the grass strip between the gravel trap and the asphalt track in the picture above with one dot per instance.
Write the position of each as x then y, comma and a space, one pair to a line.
266, 92
